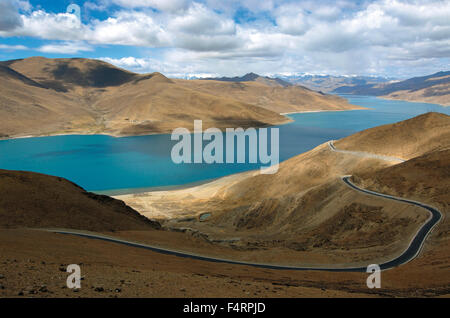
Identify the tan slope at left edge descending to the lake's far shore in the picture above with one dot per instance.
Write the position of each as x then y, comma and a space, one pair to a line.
27, 107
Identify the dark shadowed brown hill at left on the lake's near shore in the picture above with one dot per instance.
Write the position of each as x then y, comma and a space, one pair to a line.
35, 200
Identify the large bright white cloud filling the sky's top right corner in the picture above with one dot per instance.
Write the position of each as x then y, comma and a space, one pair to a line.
386, 23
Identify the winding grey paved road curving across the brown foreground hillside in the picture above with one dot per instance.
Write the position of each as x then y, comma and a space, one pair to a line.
407, 255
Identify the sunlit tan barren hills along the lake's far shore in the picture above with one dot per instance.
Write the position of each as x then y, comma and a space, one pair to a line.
41, 96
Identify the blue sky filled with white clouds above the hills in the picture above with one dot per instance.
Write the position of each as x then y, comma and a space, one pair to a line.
394, 38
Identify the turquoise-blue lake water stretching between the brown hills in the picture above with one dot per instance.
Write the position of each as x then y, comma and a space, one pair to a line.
99, 163
